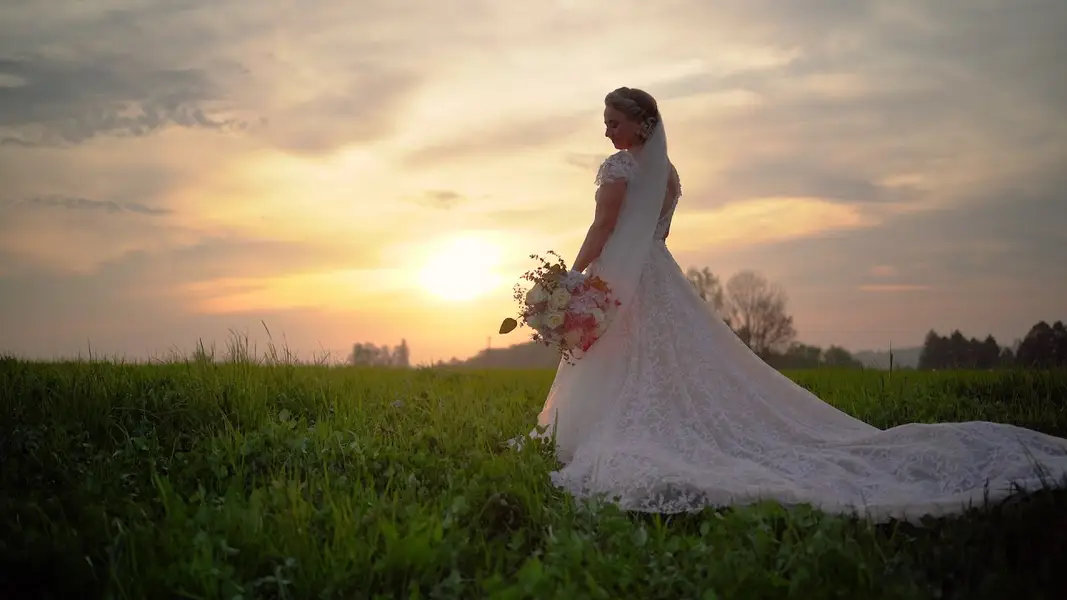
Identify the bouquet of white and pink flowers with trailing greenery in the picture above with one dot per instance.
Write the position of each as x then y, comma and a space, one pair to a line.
567, 310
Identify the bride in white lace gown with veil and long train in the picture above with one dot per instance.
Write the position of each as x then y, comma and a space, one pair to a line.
670, 412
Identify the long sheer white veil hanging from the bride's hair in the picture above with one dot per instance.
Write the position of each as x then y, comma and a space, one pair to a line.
582, 392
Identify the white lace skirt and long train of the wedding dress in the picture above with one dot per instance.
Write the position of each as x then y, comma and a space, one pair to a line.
702, 421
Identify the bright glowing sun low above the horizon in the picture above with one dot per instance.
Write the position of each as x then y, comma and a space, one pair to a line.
463, 269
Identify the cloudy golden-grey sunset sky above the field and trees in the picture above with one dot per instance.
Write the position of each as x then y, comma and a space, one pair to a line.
376, 170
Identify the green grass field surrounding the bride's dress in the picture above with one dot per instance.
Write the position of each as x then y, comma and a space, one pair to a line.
244, 481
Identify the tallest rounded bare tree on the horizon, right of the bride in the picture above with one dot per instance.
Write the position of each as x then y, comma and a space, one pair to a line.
757, 312
